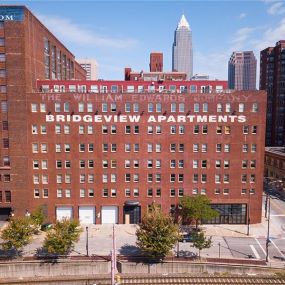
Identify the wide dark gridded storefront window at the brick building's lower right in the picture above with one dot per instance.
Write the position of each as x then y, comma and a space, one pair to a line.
229, 214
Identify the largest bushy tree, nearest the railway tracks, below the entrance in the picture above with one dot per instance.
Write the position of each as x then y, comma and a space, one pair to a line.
157, 234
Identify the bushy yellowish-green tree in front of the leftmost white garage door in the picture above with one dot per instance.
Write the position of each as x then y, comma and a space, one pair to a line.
61, 238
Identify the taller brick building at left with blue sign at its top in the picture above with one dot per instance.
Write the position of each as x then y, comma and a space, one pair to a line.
28, 51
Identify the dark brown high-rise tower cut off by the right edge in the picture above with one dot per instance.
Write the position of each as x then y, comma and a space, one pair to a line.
272, 74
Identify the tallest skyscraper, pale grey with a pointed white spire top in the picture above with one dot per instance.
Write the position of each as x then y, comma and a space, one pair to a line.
182, 53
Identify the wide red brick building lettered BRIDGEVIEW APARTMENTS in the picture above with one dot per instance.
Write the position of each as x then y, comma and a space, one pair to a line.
112, 148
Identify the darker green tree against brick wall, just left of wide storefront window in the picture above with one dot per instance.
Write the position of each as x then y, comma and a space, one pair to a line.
197, 208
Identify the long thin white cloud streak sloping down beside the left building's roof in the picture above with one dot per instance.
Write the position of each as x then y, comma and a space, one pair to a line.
66, 30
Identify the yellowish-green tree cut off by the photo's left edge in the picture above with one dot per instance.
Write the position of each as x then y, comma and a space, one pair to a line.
17, 234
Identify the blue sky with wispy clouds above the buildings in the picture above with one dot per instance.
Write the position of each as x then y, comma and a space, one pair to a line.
123, 33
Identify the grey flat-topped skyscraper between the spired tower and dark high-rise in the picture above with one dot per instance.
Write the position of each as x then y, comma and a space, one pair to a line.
242, 71
